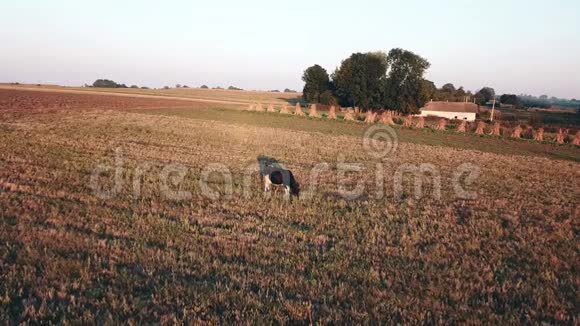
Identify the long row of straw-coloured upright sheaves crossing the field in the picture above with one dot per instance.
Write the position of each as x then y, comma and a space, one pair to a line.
390, 117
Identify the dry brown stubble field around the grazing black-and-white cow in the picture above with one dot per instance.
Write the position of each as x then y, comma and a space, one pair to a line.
509, 254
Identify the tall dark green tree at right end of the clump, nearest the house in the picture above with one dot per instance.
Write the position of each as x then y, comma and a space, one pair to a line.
405, 86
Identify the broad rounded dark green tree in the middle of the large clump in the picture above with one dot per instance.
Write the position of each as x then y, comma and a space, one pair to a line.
359, 80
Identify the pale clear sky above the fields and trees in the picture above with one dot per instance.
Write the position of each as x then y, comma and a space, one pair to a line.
514, 46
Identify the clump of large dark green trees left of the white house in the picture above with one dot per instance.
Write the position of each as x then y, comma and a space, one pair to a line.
372, 80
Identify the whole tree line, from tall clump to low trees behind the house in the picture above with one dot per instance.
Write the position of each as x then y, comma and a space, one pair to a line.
395, 80
